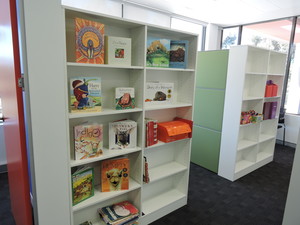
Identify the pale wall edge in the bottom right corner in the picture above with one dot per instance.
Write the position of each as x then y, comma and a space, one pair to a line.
291, 213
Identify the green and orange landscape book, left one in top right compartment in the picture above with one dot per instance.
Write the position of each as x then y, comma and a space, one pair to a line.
158, 52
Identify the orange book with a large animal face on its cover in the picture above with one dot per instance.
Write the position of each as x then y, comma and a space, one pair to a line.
115, 174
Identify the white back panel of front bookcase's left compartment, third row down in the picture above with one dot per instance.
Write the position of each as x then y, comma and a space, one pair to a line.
105, 120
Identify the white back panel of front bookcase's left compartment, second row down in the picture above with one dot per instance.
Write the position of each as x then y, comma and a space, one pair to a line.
111, 79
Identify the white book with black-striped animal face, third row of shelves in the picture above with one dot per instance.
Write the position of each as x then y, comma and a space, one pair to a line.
122, 134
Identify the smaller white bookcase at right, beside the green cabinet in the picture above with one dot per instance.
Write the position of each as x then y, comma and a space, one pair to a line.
244, 148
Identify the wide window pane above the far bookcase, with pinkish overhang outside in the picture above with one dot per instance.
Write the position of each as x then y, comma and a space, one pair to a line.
273, 35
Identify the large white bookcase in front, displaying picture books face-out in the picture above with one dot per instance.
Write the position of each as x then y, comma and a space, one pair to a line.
168, 163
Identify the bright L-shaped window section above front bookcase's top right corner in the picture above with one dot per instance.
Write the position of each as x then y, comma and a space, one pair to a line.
195, 28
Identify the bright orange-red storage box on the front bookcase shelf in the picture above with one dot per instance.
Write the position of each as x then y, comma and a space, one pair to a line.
174, 130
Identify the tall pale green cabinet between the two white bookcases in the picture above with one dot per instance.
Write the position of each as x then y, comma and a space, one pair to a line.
211, 76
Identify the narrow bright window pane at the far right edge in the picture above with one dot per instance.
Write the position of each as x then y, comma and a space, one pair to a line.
292, 103
